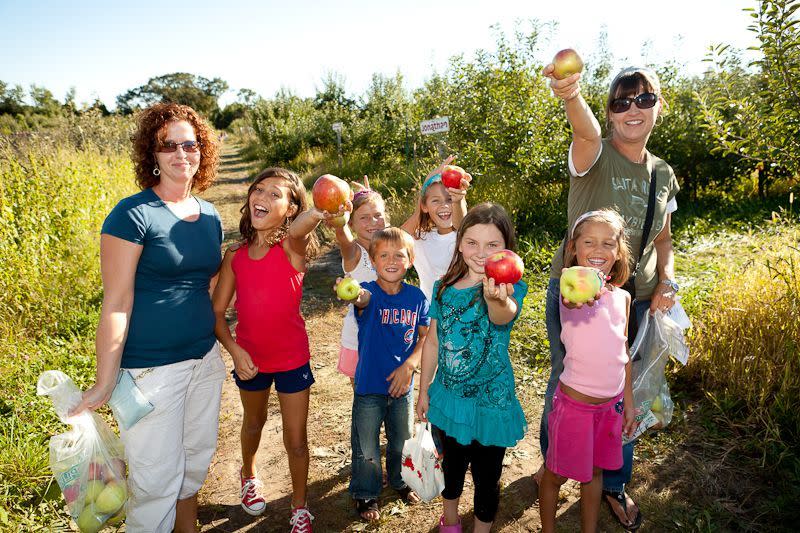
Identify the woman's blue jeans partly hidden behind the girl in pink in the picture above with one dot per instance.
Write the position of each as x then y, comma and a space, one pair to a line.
613, 480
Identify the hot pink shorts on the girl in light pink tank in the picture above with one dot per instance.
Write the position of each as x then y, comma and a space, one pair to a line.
582, 436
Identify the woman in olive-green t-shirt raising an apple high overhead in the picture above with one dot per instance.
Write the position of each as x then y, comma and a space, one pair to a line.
617, 171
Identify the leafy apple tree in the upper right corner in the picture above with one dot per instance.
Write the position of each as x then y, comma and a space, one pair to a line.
756, 116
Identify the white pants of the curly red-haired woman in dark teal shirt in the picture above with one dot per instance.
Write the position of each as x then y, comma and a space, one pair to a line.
169, 450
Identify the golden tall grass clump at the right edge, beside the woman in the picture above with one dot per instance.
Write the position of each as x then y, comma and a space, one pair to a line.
746, 357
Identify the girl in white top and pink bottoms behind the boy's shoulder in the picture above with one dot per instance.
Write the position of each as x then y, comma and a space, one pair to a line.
367, 217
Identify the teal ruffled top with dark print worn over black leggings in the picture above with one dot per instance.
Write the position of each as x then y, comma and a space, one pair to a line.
472, 396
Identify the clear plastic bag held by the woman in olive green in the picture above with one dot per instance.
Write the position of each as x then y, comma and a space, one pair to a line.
659, 338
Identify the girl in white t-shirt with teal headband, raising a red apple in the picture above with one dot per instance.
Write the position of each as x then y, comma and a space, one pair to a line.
433, 225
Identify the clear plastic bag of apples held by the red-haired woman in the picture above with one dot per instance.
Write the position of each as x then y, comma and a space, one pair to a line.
87, 461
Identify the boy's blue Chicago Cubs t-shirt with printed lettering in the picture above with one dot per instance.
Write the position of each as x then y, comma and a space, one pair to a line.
387, 334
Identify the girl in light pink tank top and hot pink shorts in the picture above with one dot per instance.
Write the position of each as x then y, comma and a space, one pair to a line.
593, 403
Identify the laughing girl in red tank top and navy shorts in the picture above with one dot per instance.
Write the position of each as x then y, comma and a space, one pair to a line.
266, 271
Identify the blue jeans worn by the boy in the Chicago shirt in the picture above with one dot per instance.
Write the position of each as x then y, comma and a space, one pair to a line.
369, 412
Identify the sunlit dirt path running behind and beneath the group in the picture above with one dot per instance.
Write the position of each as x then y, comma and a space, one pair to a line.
329, 427
